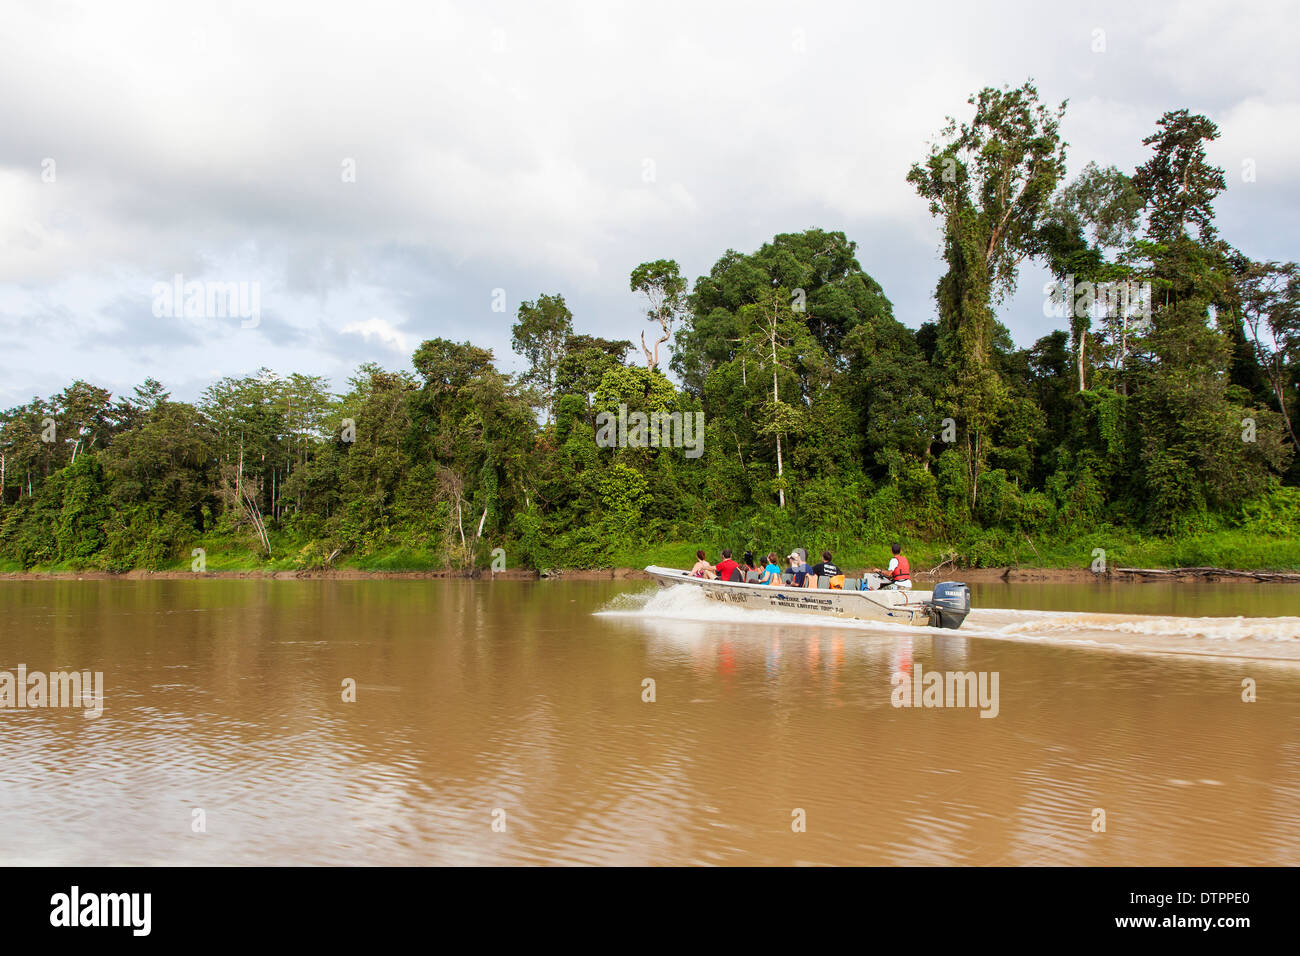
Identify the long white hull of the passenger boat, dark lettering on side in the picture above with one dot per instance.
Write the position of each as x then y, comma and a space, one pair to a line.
915, 608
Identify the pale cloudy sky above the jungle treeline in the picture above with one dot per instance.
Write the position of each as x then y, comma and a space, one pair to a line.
375, 175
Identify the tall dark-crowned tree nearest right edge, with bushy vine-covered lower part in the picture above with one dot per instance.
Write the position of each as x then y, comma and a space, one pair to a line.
1189, 414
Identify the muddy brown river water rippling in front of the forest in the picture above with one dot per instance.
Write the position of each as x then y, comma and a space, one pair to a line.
517, 723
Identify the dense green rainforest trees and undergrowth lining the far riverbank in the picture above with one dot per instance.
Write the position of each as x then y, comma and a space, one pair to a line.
1158, 426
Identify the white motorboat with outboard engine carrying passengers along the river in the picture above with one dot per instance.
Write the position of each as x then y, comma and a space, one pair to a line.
861, 599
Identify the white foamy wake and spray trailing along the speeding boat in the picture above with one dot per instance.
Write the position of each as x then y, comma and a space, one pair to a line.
1259, 639
